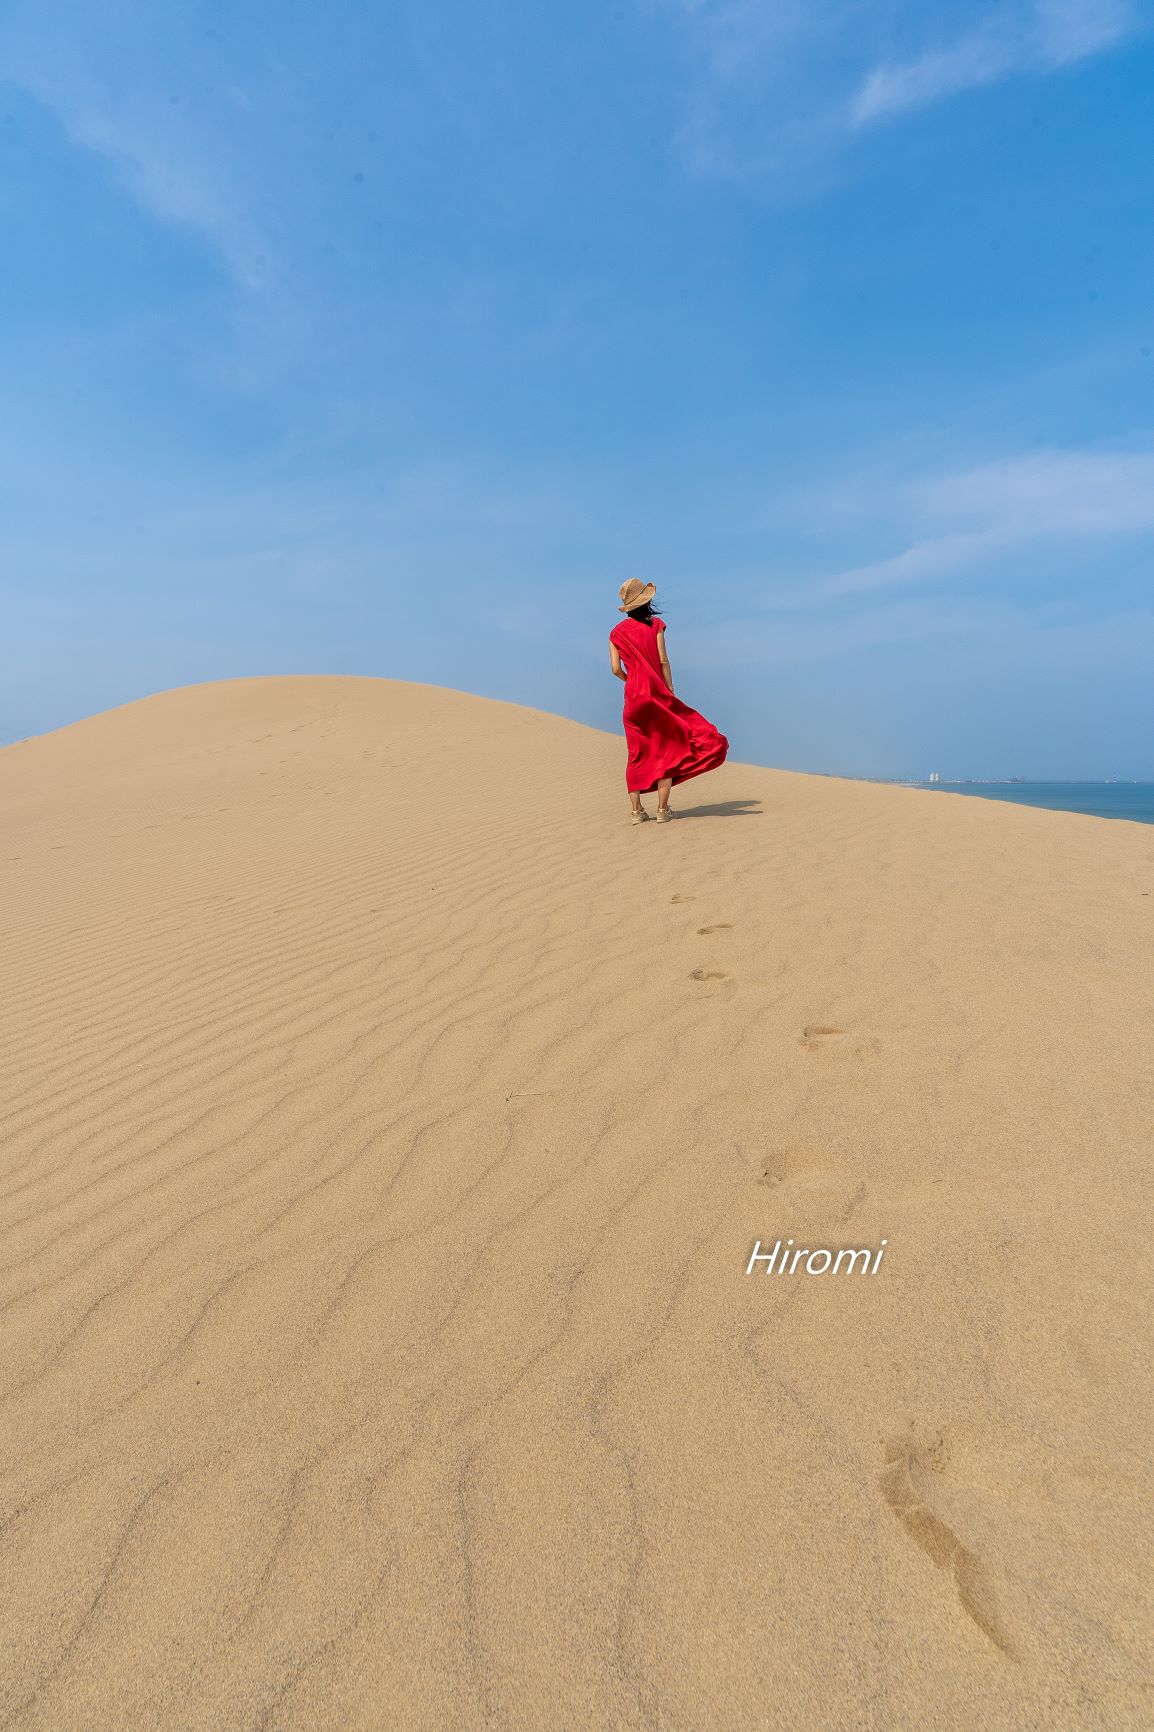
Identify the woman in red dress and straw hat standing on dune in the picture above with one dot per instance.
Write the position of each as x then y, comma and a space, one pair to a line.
668, 740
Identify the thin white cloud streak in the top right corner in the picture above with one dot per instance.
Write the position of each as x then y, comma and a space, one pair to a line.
1037, 39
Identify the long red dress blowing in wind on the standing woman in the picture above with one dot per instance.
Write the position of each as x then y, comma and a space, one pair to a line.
663, 734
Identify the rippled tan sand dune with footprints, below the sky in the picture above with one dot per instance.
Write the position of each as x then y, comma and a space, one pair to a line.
387, 1127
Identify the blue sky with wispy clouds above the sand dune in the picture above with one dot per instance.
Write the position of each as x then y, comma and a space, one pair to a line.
392, 339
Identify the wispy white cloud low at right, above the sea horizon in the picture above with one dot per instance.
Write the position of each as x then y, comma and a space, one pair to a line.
969, 517
